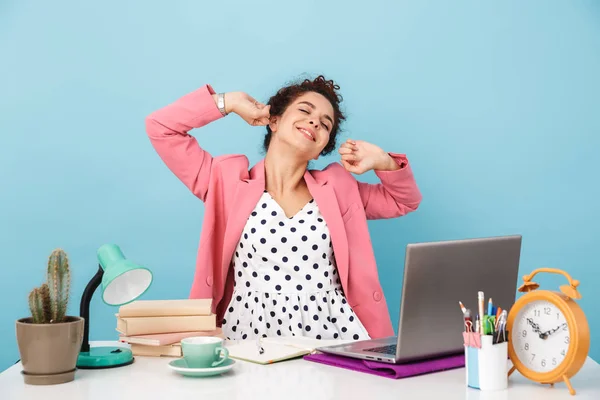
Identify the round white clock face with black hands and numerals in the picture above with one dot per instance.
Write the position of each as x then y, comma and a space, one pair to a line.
540, 336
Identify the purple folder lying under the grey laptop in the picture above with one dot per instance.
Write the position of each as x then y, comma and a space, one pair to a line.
390, 370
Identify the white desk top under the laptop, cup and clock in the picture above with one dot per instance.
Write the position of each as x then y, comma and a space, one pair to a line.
150, 378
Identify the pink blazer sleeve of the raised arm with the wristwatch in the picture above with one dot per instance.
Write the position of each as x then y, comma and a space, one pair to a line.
167, 129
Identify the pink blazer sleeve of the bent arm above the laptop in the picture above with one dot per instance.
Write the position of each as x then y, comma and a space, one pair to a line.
396, 195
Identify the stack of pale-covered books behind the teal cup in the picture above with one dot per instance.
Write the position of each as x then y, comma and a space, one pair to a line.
156, 327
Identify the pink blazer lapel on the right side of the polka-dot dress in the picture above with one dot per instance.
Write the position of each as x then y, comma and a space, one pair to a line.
326, 200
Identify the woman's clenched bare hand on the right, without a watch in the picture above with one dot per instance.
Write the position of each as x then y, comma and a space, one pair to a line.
359, 157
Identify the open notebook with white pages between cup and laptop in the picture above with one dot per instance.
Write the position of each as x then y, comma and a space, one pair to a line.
276, 348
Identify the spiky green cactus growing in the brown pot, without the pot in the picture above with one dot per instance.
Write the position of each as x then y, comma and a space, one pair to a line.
48, 303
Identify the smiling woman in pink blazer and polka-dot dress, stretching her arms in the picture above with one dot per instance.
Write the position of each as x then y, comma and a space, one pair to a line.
285, 250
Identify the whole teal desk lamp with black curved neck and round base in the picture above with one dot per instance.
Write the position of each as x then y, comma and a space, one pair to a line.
122, 282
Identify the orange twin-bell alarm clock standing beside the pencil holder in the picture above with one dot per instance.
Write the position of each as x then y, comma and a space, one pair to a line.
549, 333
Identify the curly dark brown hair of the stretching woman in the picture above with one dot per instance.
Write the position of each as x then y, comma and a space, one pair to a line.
286, 95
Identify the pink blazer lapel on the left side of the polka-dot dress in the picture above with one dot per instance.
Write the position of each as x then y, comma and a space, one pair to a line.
247, 193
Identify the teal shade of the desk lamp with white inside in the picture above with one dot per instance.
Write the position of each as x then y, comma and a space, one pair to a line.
123, 281
